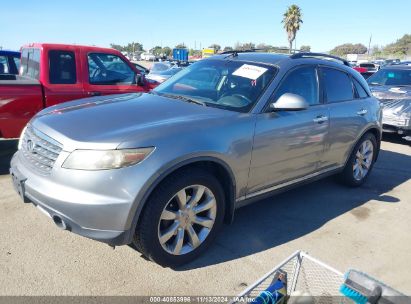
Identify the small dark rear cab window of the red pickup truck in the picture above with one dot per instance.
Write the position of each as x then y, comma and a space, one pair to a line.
62, 67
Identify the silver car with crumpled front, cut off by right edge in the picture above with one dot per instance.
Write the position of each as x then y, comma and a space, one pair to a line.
392, 86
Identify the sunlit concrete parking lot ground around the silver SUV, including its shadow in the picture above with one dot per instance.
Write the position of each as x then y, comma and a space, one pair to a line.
366, 228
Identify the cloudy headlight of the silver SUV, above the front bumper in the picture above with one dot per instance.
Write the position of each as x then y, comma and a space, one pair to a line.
105, 159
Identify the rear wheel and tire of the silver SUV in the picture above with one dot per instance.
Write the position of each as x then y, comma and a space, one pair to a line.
355, 172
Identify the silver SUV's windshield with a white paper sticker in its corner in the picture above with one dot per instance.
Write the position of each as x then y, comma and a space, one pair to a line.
227, 84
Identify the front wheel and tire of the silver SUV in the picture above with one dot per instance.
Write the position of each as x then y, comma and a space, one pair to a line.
165, 215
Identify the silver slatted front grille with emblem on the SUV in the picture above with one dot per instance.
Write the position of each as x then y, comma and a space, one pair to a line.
40, 150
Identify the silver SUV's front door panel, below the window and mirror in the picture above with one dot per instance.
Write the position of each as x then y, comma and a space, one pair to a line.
287, 145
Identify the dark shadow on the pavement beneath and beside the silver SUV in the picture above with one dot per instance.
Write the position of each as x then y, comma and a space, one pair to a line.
285, 217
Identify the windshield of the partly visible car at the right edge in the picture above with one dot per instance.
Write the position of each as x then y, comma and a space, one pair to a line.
394, 77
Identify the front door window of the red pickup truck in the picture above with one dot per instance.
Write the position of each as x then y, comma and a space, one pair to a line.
108, 69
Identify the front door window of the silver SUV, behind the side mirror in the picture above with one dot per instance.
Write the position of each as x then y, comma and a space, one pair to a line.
301, 81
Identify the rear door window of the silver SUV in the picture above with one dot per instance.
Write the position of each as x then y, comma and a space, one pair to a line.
337, 84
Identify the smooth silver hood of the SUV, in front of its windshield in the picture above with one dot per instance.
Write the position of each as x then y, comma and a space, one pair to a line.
107, 121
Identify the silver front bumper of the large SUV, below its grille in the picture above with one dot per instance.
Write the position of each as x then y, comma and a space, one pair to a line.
96, 205
